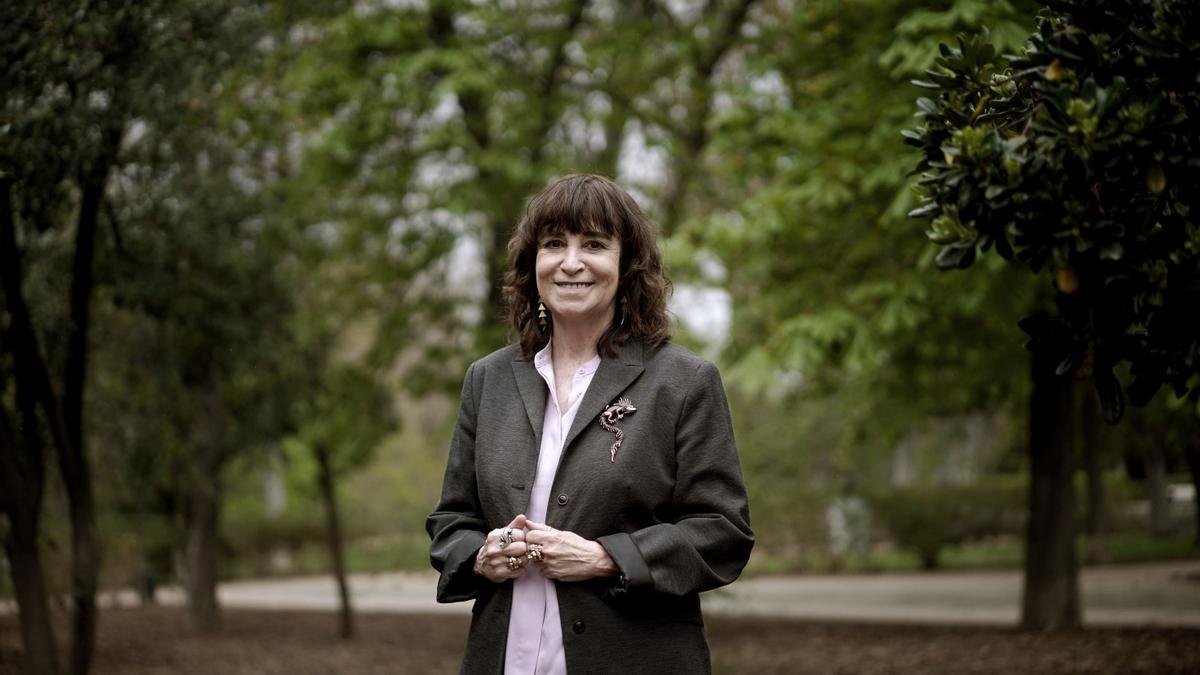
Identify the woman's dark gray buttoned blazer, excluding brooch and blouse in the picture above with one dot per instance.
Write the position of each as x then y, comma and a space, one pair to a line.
671, 511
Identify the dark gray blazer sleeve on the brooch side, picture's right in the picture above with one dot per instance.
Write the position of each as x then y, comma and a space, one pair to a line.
710, 540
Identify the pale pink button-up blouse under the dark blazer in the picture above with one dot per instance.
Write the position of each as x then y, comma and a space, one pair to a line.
536, 636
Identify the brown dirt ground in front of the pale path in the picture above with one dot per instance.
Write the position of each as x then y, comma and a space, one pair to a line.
157, 641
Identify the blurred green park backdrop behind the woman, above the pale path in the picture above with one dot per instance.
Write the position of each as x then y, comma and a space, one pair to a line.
251, 248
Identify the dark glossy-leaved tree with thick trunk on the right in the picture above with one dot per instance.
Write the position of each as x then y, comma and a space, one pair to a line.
1077, 157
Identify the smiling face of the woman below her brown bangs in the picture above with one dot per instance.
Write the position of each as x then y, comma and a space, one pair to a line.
578, 278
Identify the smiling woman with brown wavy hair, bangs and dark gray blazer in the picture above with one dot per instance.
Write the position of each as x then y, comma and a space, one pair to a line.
593, 488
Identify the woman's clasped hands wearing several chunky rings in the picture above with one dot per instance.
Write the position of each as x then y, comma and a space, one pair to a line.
565, 555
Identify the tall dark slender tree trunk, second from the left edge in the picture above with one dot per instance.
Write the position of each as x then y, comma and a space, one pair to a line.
74, 459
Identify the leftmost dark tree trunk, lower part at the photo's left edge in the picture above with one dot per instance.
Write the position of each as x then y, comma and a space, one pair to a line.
22, 480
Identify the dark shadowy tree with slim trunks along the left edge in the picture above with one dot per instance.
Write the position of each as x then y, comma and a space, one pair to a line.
74, 80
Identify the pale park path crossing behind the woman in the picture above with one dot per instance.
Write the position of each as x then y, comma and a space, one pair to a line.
1166, 594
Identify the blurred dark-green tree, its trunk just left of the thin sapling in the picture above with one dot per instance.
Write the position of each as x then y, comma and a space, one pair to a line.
211, 277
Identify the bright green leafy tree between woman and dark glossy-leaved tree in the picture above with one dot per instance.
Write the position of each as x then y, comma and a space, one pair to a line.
805, 207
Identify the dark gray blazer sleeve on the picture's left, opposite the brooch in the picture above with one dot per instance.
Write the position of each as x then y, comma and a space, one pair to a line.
457, 527
